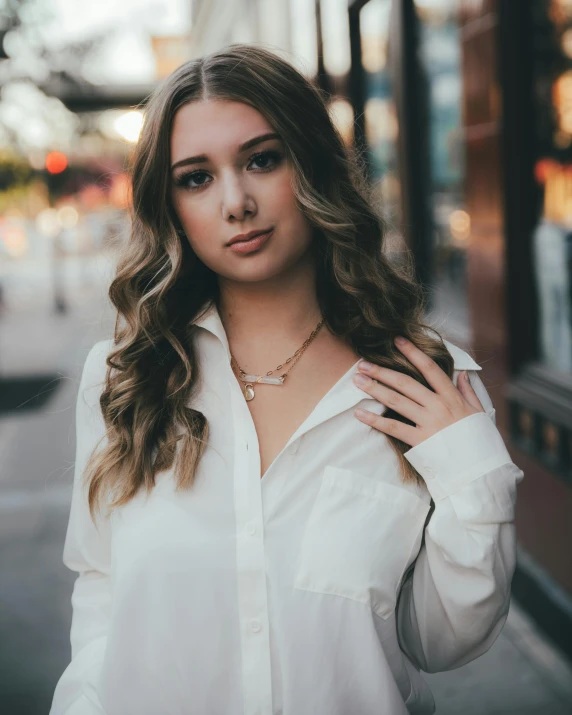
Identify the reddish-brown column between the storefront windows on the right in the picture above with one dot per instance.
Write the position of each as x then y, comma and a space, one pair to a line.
486, 265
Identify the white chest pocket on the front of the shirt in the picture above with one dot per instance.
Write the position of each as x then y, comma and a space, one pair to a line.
360, 537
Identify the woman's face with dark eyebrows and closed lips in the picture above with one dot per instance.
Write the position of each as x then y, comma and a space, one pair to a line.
222, 188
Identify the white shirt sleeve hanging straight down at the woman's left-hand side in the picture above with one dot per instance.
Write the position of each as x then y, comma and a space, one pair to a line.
87, 551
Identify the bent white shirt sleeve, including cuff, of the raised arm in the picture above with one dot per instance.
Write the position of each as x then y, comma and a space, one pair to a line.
455, 600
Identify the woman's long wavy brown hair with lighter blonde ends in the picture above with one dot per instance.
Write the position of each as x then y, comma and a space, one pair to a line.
160, 285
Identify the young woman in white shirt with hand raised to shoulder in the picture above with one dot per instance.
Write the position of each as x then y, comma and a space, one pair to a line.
247, 541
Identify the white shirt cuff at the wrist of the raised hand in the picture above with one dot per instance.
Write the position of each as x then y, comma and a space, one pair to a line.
458, 454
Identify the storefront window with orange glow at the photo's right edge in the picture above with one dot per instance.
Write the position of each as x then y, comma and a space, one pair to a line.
552, 242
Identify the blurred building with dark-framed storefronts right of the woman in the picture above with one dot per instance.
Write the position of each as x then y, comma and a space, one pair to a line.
465, 110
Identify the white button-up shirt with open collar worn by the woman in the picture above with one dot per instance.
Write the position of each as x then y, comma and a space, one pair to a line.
321, 589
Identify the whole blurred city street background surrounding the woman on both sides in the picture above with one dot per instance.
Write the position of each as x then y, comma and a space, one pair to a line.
463, 109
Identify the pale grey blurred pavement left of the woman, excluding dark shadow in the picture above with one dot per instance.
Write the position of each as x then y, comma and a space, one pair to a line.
36, 471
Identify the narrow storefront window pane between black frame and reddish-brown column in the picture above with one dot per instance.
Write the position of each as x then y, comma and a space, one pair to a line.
440, 60
